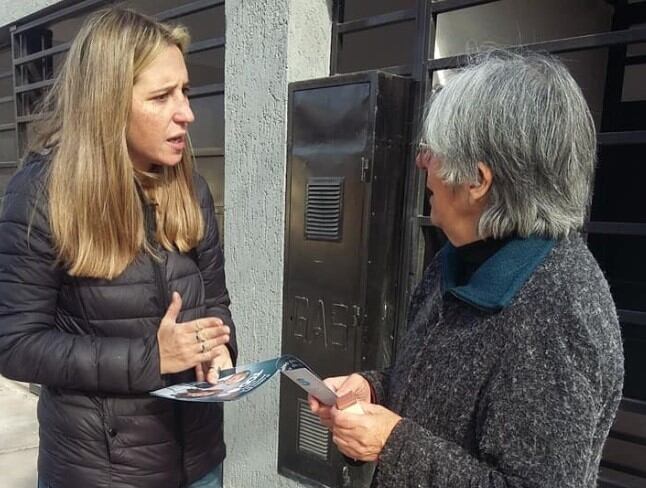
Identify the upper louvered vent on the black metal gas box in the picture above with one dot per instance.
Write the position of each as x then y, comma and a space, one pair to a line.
324, 209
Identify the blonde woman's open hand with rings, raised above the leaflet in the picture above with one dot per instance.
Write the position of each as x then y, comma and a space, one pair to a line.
184, 345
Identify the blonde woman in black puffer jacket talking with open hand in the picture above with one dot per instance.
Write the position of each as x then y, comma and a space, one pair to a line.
111, 271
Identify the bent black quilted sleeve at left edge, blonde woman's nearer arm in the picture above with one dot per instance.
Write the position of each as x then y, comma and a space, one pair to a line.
31, 348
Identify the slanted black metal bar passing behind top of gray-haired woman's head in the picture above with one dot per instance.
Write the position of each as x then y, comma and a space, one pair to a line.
570, 44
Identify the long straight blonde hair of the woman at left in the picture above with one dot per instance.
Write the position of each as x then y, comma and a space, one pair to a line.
96, 213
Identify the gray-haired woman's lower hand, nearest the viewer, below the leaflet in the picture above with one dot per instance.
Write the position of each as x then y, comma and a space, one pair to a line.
363, 436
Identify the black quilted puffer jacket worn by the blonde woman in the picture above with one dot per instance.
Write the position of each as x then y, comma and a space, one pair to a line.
92, 344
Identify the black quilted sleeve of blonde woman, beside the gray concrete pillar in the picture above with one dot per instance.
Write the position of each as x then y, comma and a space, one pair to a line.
211, 263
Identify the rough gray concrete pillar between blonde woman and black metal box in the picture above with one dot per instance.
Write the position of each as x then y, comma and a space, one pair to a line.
269, 44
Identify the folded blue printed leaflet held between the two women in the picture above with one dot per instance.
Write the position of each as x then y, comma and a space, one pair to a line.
234, 383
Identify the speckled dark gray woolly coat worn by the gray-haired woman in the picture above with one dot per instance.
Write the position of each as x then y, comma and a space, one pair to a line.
523, 396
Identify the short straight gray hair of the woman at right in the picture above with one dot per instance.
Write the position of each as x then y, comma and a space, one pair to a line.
525, 117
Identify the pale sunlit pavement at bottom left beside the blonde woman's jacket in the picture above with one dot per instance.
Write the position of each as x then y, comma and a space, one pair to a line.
18, 435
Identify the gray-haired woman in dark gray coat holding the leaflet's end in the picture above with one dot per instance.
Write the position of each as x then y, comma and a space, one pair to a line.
512, 367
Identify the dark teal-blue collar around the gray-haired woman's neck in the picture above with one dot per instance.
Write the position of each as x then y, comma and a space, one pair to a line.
495, 283
